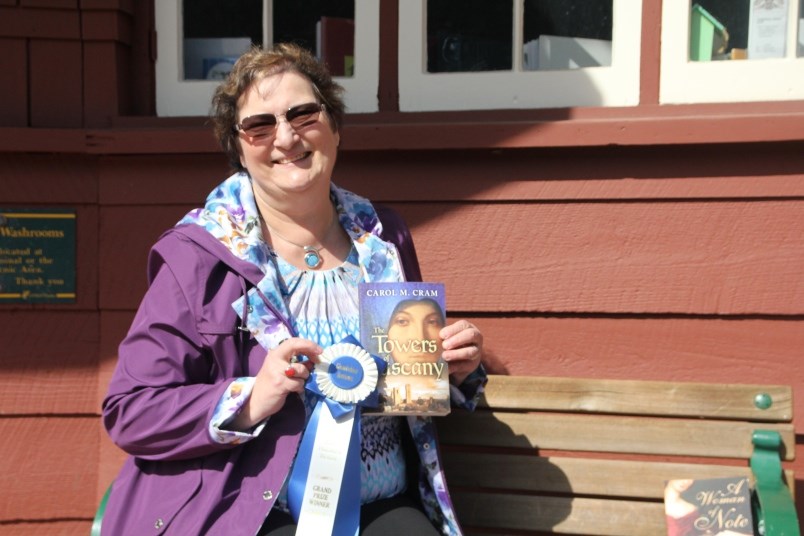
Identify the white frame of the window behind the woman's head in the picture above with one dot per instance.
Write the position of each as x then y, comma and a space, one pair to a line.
176, 97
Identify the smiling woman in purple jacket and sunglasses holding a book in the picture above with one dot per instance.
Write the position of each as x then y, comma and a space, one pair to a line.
208, 396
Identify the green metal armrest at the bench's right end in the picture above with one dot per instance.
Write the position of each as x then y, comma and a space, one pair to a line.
776, 511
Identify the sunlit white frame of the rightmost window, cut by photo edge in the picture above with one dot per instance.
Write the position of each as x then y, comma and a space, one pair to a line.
695, 82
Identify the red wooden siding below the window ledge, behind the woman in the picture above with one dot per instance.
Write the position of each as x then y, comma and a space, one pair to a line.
573, 264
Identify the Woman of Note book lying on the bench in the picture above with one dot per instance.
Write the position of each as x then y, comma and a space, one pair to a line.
708, 506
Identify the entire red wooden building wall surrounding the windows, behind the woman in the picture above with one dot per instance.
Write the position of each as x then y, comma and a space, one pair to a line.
667, 246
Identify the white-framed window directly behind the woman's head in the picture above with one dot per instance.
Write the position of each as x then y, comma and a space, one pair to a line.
198, 41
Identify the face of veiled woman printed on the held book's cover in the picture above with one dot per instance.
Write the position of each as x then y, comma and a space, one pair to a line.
413, 334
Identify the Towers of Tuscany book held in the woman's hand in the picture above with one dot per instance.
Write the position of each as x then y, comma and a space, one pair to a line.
399, 322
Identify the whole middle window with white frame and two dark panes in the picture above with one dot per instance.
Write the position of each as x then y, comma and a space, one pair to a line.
497, 54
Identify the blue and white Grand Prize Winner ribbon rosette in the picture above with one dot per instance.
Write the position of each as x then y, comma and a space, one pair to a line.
324, 486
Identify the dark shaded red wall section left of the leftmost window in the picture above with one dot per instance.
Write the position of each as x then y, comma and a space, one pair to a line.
66, 57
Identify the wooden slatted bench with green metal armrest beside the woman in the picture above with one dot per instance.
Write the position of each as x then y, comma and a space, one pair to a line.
586, 456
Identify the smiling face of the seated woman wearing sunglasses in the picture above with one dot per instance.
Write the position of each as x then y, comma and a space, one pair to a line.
293, 160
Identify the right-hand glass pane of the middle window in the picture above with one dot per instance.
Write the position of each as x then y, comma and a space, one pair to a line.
567, 34
